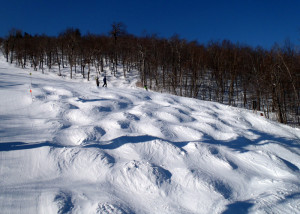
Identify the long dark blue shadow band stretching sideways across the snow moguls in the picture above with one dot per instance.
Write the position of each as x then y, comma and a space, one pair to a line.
239, 144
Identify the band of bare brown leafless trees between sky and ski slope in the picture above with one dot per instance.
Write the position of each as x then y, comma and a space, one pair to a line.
233, 74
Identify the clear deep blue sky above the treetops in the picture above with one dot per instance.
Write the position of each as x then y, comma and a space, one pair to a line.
252, 22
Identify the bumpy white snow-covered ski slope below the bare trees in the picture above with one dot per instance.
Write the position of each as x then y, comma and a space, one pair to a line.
76, 148
